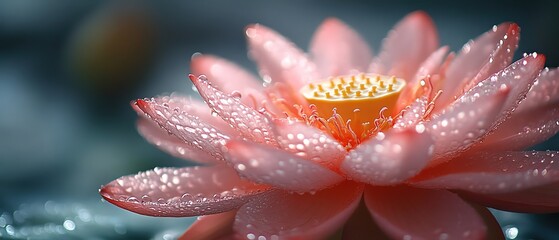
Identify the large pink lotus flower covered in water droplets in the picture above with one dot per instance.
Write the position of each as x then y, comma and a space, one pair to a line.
421, 136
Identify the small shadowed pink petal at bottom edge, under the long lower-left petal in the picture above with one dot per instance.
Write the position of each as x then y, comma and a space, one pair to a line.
217, 226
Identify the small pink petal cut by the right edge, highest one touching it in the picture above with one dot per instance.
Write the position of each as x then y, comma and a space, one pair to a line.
544, 91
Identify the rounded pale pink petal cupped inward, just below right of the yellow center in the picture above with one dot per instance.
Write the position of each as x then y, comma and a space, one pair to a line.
389, 160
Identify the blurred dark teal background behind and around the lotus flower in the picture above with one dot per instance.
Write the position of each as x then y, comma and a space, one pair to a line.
68, 70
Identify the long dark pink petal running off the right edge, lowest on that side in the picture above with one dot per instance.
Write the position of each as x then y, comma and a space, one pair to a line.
514, 181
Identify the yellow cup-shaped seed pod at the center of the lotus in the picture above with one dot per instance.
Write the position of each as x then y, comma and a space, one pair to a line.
356, 97
